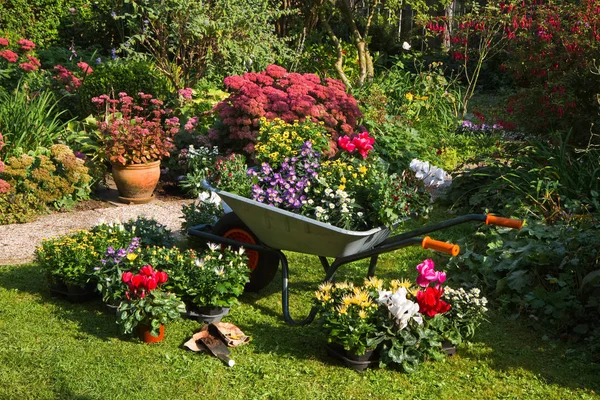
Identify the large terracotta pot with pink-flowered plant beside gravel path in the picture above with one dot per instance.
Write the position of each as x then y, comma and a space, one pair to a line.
136, 137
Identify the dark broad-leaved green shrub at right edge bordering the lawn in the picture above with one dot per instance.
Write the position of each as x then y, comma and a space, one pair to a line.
539, 272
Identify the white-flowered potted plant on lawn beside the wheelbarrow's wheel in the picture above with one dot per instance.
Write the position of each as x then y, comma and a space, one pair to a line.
215, 281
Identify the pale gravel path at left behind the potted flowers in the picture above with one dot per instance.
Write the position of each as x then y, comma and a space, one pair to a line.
19, 241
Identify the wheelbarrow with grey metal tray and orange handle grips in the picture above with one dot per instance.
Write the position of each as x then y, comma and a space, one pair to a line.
265, 231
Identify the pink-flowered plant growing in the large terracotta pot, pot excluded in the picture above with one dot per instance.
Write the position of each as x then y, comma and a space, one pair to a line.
134, 133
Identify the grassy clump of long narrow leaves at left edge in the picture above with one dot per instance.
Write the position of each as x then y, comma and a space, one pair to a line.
29, 122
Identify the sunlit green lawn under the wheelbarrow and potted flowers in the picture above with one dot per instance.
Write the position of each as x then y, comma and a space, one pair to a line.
52, 349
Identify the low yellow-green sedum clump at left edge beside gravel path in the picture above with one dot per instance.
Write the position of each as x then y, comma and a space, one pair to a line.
56, 178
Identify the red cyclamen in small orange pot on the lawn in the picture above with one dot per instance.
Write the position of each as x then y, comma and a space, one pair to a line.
146, 307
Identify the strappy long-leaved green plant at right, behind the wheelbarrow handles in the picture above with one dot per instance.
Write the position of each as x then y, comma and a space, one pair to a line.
547, 180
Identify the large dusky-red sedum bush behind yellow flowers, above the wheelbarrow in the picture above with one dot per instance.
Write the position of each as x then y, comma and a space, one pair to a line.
275, 93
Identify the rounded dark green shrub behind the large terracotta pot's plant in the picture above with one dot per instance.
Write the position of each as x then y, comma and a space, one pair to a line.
123, 75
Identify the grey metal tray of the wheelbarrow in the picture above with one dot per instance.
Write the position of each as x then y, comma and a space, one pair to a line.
284, 230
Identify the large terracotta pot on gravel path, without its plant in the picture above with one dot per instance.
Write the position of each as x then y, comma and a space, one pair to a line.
136, 182
